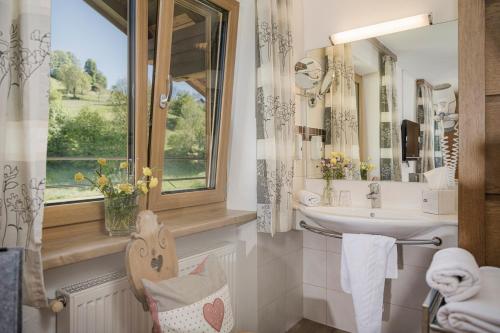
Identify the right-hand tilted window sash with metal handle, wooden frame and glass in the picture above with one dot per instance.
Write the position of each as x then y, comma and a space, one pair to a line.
192, 50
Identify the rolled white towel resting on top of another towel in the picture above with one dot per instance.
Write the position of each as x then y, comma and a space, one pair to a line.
455, 273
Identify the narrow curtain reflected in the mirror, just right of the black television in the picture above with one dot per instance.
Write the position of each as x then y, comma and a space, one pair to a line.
426, 120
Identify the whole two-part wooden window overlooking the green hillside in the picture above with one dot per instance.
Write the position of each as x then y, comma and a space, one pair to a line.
145, 81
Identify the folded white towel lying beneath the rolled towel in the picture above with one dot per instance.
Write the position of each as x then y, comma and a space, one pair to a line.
480, 313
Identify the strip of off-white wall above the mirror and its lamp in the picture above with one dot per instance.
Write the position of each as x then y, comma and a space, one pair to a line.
324, 17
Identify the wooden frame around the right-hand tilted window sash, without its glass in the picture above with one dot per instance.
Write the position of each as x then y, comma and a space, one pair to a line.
158, 201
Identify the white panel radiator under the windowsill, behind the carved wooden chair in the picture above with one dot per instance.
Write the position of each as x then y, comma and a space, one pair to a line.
105, 304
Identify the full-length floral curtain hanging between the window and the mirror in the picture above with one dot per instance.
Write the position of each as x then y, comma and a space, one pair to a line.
275, 112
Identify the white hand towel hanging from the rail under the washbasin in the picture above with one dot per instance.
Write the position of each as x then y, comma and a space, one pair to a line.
366, 261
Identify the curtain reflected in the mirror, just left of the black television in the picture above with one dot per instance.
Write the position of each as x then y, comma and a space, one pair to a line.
390, 137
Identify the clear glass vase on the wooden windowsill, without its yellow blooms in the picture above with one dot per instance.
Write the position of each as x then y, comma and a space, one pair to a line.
120, 214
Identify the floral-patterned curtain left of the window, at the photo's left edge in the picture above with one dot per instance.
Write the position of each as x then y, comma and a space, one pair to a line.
24, 89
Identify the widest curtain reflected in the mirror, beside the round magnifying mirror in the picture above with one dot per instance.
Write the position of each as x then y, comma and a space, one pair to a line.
340, 104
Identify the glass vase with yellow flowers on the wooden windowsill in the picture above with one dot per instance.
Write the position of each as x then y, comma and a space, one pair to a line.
120, 195
